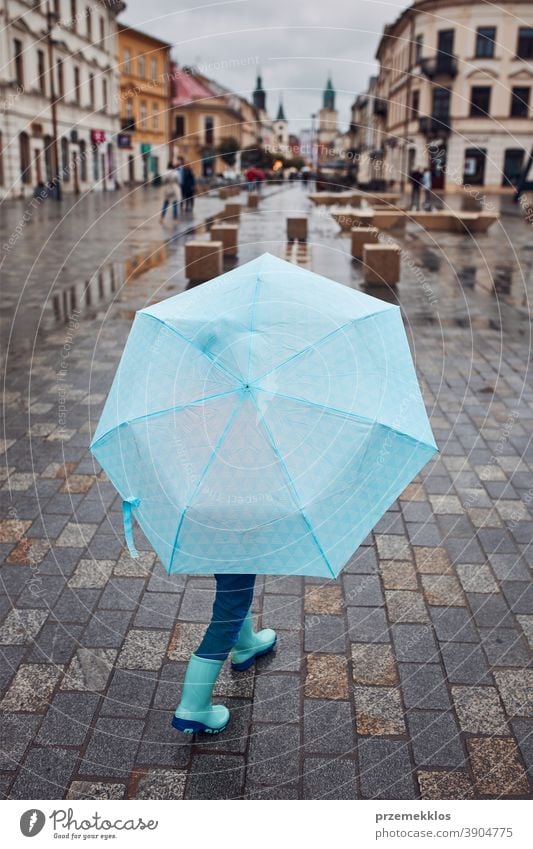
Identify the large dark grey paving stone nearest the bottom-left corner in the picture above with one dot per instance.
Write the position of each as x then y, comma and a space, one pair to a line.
45, 773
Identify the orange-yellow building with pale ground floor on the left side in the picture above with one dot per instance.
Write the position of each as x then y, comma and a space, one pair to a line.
144, 63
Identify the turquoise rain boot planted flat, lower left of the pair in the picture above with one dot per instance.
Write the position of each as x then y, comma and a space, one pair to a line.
195, 712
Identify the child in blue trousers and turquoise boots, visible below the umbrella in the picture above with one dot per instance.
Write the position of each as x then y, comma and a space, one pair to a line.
230, 629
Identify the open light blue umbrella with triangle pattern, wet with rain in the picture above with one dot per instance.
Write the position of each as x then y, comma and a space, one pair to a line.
263, 422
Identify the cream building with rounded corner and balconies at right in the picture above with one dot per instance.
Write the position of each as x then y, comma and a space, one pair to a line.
454, 92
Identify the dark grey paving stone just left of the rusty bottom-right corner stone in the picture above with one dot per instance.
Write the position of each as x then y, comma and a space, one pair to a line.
435, 739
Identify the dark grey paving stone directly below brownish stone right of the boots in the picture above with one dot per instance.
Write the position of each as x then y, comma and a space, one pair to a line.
328, 727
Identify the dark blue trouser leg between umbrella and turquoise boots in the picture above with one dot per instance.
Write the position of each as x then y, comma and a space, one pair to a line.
232, 602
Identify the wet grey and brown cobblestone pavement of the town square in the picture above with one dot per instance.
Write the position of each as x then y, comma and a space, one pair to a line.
409, 677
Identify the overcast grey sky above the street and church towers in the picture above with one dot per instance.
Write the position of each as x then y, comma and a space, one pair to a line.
294, 44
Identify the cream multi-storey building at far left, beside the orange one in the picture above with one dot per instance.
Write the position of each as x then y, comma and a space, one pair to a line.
62, 54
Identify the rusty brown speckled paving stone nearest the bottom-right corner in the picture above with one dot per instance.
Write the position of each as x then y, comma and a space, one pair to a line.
497, 767
